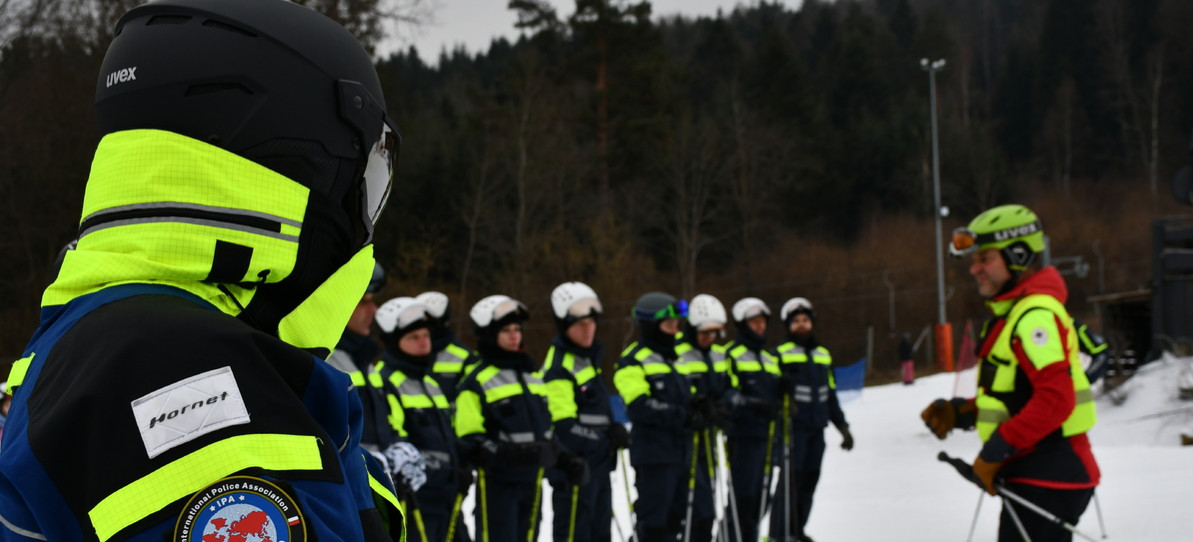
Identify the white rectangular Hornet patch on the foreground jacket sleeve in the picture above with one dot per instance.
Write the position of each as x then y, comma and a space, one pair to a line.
189, 409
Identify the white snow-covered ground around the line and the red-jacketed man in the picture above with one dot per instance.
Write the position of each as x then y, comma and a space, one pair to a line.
892, 488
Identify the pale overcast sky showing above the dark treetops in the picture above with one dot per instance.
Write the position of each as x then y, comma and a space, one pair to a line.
475, 23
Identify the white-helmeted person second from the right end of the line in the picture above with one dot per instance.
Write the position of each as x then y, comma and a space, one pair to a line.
755, 375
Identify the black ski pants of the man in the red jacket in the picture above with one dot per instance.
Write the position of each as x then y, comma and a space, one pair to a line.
1066, 504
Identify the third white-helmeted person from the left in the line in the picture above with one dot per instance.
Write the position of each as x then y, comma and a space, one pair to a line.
505, 426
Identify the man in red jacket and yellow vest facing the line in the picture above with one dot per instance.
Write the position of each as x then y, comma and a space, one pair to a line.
1034, 406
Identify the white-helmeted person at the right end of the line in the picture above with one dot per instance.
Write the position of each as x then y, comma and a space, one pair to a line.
809, 366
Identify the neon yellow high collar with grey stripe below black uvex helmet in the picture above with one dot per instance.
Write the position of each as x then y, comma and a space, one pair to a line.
162, 208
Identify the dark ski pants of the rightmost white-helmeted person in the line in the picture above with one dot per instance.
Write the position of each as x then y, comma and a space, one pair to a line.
807, 454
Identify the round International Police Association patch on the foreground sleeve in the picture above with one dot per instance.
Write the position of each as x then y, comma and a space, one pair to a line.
242, 509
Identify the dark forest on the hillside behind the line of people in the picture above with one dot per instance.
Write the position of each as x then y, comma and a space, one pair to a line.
770, 152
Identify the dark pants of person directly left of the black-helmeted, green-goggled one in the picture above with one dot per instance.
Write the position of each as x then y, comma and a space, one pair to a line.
595, 506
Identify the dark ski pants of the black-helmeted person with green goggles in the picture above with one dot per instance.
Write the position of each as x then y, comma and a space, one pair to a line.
663, 501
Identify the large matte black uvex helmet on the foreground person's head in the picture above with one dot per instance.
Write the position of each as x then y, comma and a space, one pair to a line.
270, 81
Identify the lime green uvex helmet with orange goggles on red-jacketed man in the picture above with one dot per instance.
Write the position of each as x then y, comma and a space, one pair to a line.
1013, 230
